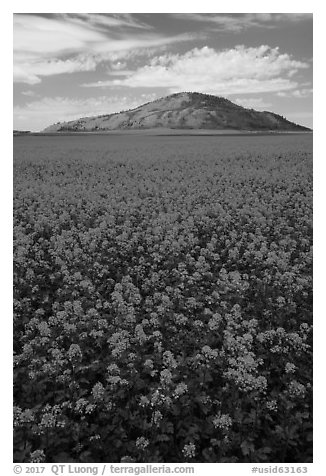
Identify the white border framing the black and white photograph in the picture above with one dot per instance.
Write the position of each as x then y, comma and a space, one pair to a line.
319, 11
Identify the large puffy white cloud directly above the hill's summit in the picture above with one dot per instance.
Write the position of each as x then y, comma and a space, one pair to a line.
233, 71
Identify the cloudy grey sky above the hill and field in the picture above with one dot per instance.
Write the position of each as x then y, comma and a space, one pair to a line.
67, 65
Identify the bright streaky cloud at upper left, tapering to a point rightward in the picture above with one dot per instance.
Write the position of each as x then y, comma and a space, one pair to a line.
66, 43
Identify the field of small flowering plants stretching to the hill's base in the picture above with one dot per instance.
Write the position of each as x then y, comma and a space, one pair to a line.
163, 299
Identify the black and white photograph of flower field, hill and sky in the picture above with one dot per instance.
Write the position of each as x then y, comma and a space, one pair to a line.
162, 240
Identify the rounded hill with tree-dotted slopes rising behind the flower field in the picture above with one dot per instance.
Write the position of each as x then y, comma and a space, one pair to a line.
185, 110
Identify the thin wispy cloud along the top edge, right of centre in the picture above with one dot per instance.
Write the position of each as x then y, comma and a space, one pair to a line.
239, 22
